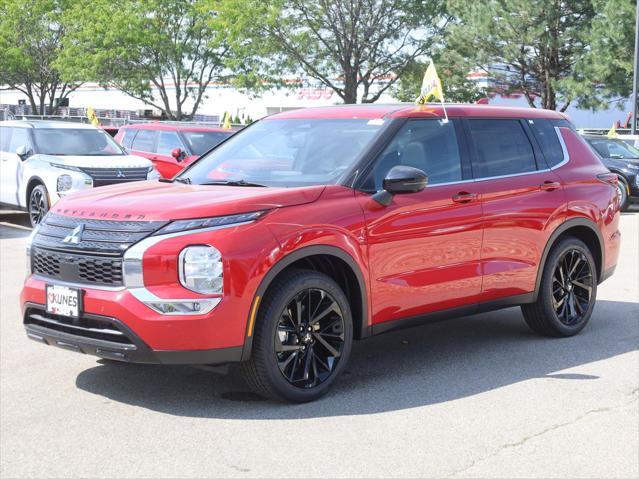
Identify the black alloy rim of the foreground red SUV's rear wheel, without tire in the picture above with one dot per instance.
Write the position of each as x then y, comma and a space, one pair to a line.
572, 287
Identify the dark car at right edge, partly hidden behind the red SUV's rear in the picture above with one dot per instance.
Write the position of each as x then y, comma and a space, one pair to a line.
623, 160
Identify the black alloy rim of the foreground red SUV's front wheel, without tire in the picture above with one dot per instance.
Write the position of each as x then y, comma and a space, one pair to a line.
309, 338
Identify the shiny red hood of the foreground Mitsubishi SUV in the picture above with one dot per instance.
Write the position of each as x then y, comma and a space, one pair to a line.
154, 200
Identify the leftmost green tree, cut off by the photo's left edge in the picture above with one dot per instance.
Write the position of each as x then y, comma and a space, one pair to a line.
31, 38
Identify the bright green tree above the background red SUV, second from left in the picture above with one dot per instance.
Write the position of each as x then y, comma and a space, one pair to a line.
163, 52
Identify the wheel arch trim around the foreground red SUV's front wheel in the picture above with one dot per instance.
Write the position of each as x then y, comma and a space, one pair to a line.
331, 260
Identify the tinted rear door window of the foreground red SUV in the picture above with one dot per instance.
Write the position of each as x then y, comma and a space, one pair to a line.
501, 148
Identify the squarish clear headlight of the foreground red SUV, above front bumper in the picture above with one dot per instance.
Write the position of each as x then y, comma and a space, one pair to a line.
201, 269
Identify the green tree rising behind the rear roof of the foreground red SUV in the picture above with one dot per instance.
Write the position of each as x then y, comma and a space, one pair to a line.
532, 47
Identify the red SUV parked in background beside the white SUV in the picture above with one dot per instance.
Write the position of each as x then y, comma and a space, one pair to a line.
170, 147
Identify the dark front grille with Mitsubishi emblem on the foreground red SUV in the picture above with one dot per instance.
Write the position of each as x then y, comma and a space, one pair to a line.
96, 258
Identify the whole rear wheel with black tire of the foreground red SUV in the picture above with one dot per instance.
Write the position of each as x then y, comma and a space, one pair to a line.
570, 260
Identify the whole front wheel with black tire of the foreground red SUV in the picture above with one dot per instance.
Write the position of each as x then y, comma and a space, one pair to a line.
289, 361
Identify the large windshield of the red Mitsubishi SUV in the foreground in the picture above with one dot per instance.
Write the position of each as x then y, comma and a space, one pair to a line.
294, 152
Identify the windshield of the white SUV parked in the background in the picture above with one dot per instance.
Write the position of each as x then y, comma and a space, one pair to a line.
70, 141
